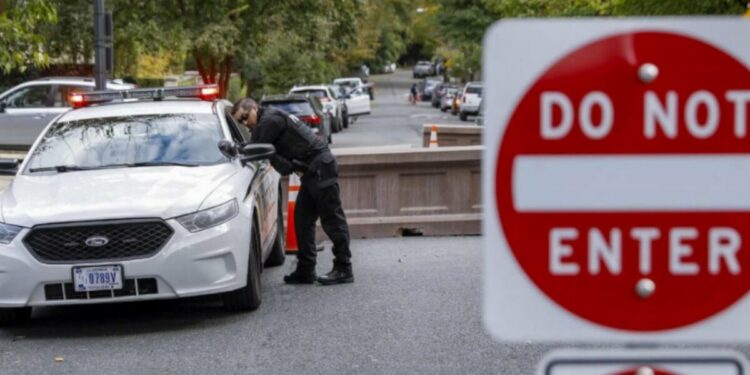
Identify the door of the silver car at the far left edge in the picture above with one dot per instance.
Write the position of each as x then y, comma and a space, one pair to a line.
25, 112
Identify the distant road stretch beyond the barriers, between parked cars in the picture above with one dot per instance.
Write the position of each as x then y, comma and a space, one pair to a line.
393, 122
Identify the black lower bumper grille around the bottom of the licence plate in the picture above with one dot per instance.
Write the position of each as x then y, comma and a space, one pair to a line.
130, 287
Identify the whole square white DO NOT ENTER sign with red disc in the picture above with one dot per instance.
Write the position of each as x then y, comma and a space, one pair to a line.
617, 176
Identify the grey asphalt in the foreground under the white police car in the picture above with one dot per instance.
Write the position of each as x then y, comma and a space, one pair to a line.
413, 309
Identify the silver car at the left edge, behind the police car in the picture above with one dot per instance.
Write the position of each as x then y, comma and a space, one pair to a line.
26, 109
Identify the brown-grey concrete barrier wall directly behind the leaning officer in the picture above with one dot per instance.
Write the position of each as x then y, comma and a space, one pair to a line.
411, 191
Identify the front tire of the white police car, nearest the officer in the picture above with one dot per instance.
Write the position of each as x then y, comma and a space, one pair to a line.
247, 298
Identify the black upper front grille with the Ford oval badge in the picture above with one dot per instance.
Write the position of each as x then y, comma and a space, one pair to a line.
124, 240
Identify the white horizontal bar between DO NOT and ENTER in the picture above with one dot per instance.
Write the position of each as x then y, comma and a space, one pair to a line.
596, 183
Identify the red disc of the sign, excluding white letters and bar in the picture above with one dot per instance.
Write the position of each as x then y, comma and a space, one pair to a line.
611, 66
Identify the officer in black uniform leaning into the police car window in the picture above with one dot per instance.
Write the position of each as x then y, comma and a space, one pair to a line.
300, 151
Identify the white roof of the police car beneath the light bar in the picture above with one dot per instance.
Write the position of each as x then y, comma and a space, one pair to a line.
136, 108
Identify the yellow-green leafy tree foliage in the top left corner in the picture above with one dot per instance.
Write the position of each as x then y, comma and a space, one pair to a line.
23, 44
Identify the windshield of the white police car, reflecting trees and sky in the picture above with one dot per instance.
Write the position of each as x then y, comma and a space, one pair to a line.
142, 140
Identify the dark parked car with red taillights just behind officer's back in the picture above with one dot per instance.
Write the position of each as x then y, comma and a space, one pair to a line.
307, 108
